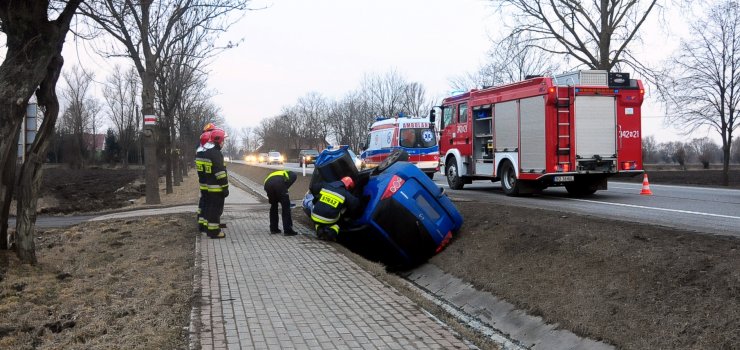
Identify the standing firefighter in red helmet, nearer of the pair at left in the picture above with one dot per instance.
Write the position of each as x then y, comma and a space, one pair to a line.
217, 181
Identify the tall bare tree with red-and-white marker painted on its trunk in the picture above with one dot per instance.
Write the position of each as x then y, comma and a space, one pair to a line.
145, 29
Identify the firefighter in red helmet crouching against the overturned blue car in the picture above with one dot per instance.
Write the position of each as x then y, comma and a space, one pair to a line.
332, 201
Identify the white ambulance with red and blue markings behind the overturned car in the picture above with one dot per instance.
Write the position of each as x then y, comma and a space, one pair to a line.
416, 136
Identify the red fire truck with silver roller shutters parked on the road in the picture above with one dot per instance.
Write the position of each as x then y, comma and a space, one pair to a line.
573, 130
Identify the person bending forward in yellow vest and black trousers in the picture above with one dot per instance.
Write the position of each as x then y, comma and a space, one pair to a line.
276, 186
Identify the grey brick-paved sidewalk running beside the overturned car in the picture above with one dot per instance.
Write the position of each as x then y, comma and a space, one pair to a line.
266, 291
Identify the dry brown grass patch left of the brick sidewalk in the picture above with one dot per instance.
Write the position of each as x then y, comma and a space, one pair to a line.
123, 284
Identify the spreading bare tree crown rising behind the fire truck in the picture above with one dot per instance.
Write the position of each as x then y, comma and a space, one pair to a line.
595, 34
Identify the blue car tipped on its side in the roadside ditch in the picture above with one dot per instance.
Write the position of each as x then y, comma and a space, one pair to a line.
404, 217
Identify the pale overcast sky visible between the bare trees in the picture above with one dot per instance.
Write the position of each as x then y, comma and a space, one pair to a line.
293, 47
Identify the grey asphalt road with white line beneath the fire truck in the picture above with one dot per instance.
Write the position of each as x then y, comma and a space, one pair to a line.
700, 209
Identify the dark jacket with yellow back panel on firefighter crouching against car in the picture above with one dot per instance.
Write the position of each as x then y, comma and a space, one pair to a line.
332, 201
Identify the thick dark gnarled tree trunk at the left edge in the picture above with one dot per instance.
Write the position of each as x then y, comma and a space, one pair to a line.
35, 32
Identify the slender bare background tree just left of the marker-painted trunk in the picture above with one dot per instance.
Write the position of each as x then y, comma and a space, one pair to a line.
120, 93
